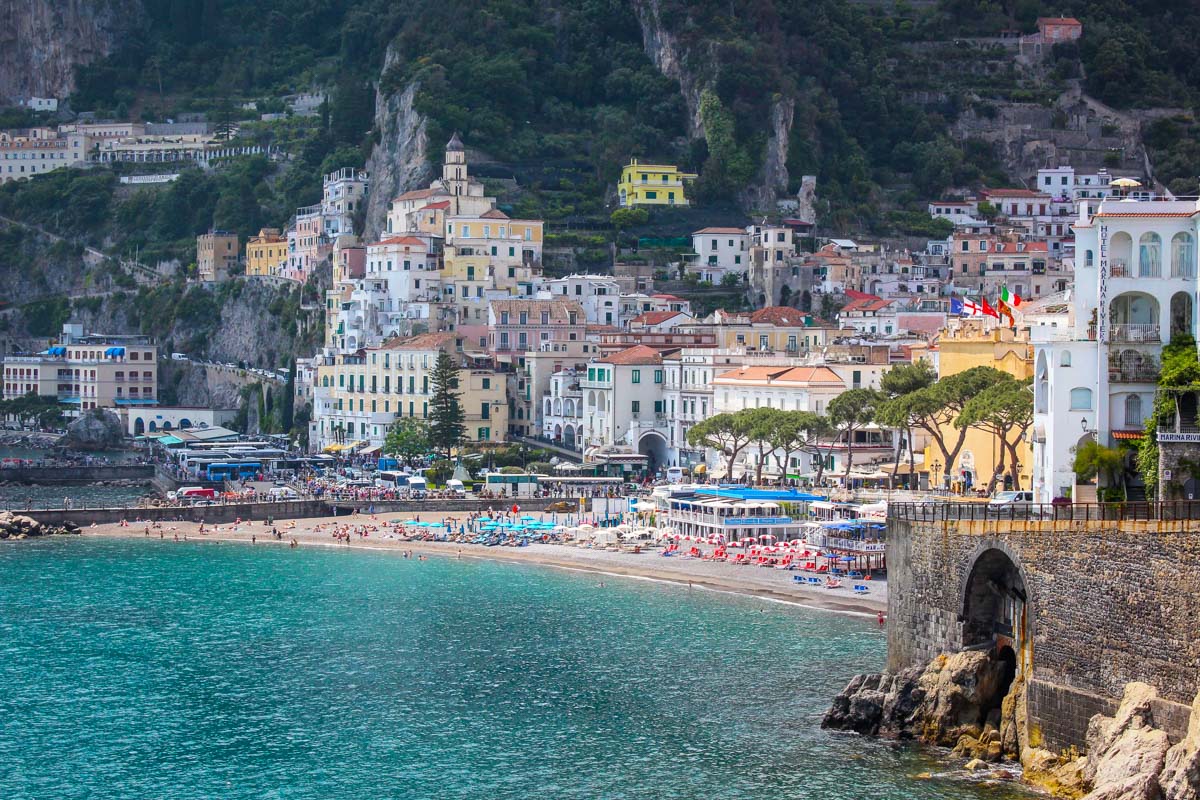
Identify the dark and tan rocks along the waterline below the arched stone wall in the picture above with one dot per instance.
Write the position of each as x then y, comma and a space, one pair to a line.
973, 703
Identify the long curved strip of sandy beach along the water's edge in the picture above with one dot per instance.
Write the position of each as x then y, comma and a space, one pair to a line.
717, 576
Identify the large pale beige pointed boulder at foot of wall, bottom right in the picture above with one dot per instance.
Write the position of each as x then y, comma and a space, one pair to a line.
1126, 753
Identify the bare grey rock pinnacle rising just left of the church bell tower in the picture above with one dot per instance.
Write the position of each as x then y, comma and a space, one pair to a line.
400, 160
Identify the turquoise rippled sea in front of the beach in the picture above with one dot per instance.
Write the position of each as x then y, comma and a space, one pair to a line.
153, 670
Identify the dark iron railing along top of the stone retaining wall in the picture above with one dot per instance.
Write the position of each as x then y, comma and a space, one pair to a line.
1045, 512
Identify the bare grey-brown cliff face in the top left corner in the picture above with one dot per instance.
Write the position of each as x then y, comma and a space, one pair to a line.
44, 41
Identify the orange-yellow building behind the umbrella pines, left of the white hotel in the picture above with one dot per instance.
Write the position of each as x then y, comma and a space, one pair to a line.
971, 345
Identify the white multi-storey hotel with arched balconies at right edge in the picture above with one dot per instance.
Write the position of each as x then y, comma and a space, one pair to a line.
1096, 372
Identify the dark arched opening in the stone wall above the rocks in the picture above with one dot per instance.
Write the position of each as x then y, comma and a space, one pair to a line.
994, 604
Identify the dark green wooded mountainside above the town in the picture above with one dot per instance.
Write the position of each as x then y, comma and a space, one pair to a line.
566, 92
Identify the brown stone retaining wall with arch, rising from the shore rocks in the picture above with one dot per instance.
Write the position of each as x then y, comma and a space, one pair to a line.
1088, 607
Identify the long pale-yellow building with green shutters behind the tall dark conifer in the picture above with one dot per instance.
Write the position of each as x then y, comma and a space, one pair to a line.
358, 396
